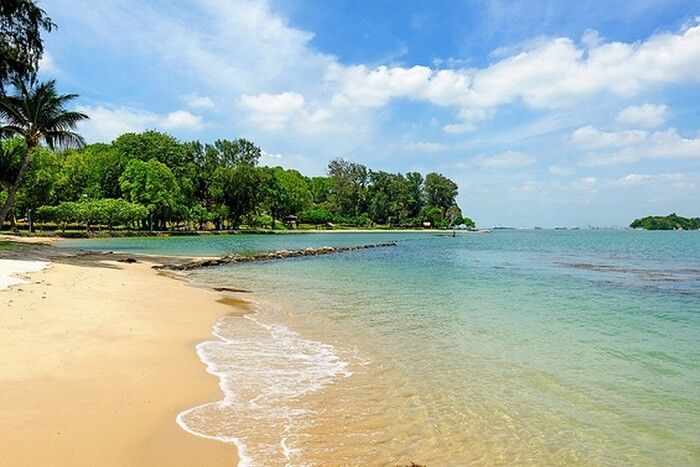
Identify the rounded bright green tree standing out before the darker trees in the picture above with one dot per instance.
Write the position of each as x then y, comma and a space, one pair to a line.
152, 184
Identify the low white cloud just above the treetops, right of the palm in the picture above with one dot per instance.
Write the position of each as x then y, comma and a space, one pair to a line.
106, 123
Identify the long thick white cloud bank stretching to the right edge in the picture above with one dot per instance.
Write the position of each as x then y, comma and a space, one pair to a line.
548, 74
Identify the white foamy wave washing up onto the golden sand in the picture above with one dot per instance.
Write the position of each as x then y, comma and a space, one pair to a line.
265, 370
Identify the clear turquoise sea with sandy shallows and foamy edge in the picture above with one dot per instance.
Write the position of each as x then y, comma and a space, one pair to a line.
548, 347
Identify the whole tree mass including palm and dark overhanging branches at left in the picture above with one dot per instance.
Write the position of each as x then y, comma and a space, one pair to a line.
152, 181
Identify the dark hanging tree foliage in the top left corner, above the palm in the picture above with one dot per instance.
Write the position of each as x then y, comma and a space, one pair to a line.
21, 45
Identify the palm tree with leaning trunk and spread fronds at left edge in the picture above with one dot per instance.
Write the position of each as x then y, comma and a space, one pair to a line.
37, 113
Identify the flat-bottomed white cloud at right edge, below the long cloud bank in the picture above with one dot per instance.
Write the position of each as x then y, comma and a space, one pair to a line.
667, 144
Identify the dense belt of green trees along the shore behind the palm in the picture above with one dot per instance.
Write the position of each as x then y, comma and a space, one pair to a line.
153, 181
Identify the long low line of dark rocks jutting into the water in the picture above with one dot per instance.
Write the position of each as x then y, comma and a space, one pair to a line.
269, 256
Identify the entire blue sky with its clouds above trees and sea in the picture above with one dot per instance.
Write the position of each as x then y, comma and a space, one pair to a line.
544, 113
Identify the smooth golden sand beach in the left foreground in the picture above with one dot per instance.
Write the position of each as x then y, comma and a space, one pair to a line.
98, 359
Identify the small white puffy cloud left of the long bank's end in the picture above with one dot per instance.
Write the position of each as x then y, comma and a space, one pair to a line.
272, 111
